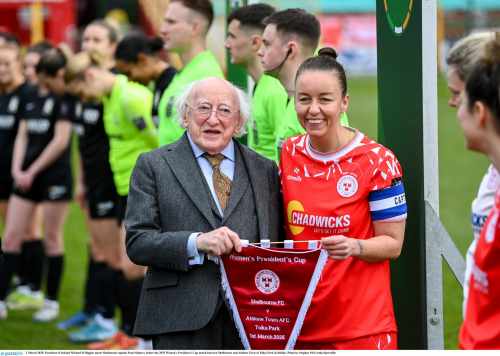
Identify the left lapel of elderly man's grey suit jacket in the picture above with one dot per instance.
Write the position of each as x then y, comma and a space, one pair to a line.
190, 177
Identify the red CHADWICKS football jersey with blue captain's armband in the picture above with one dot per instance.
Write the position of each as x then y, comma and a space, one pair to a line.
341, 194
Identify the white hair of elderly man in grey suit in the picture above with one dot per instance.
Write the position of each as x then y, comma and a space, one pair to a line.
181, 103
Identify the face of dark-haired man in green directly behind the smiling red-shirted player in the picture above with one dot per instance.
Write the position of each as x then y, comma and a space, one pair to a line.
273, 51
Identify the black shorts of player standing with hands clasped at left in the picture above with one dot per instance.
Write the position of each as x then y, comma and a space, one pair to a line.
51, 186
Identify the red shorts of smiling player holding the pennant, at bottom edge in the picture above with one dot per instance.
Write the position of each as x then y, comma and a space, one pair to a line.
382, 341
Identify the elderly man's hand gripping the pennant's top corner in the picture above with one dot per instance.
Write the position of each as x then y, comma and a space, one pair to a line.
218, 242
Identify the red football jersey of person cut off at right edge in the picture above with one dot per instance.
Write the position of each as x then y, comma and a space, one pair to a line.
481, 326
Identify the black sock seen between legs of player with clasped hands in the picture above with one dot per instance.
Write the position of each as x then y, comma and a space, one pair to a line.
33, 263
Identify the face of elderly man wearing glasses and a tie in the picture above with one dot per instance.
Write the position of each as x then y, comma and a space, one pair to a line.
212, 131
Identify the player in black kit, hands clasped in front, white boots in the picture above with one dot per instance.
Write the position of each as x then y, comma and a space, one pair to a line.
42, 175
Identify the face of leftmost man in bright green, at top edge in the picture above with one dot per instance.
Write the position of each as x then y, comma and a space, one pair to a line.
176, 29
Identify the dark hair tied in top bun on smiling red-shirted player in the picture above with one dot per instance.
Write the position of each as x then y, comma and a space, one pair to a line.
326, 60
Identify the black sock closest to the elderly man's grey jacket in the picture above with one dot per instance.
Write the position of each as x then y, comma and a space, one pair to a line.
129, 292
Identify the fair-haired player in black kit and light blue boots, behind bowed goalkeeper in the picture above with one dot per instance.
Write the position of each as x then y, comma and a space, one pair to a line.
97, 196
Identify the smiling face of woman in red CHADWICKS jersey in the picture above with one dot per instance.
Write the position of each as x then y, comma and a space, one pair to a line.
319, 102
